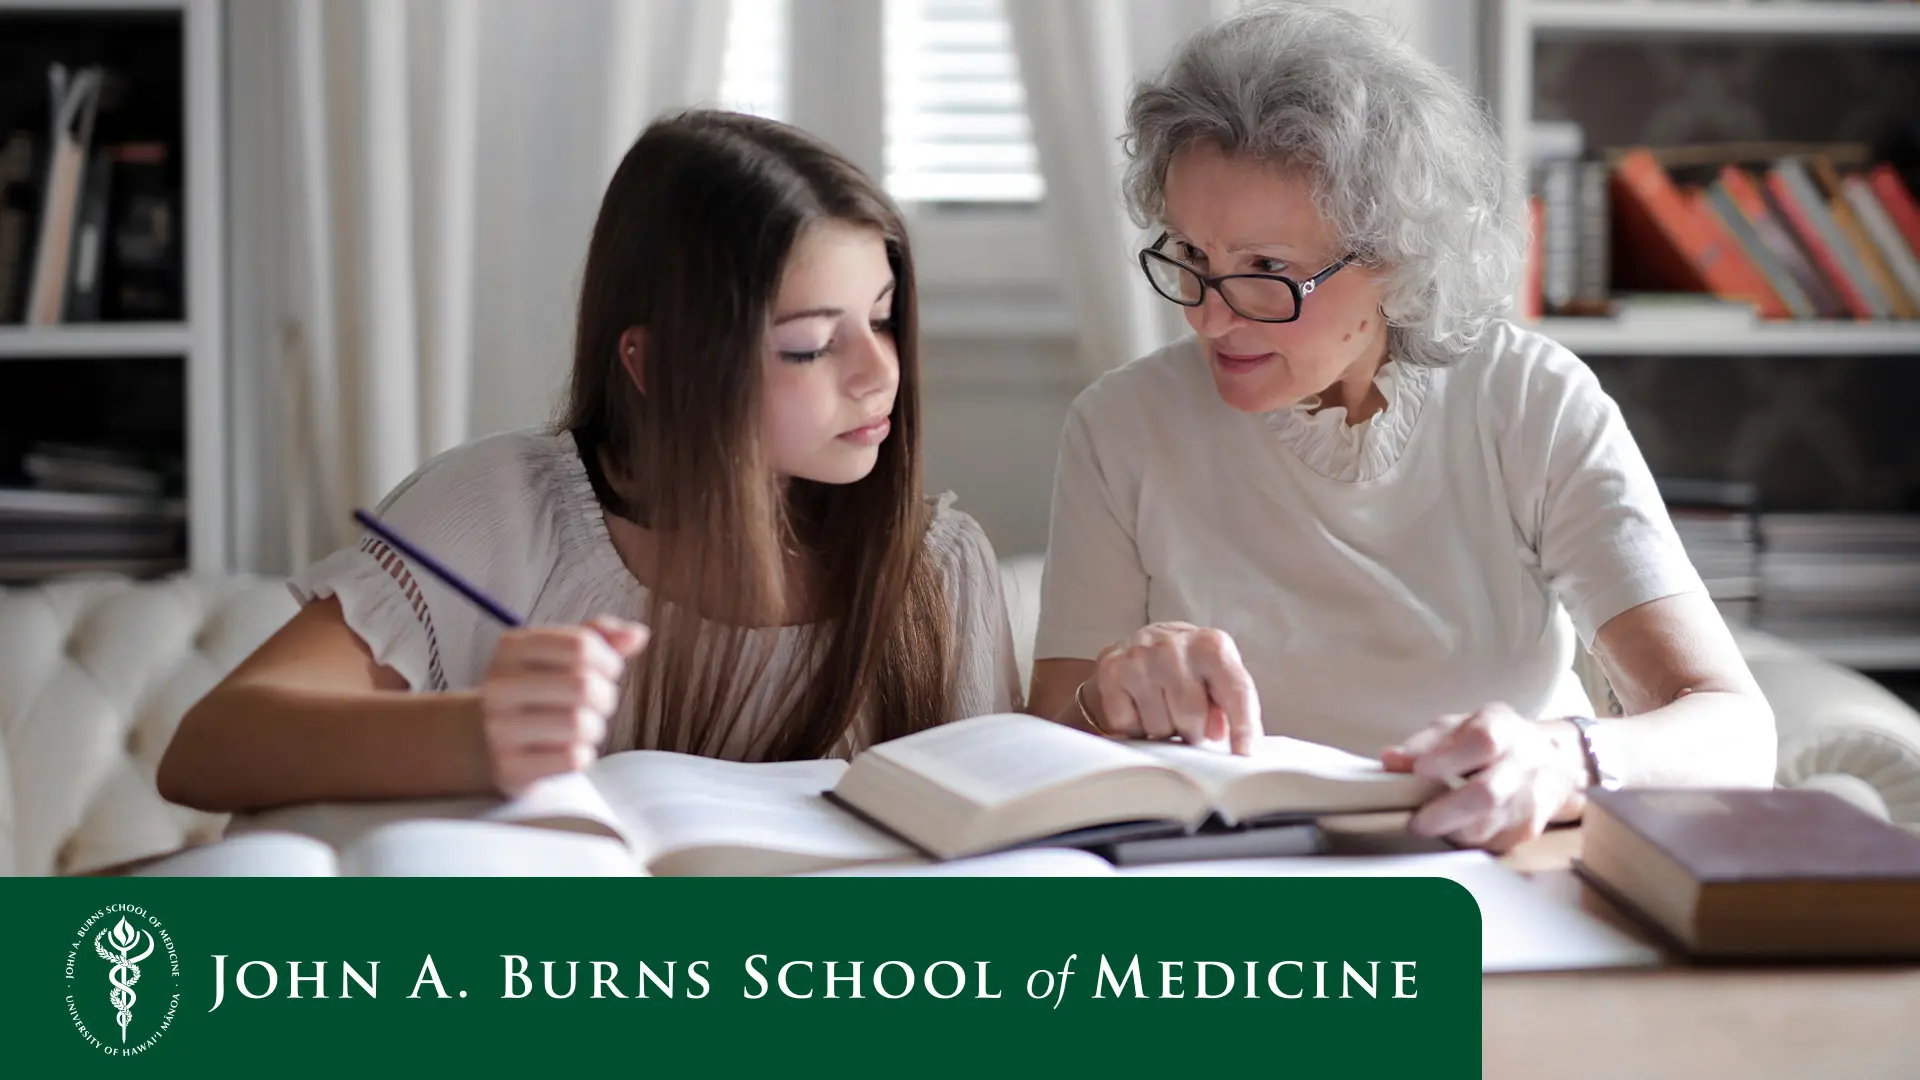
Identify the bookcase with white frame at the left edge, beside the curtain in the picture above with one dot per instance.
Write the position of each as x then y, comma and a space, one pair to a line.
120, 364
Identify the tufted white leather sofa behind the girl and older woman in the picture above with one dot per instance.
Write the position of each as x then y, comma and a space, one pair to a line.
97, 674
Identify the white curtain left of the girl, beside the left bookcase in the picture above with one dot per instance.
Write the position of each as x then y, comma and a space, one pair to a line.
431, 176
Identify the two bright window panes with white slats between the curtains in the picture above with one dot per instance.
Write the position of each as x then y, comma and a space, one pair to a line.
955, 110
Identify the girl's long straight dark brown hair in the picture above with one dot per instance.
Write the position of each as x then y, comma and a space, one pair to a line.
690, 247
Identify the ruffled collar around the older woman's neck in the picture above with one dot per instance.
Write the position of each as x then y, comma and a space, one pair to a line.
1360, 453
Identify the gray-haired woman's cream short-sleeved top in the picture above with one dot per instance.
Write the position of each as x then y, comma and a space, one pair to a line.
1378, 576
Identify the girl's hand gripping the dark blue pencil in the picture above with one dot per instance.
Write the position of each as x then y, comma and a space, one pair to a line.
548, 695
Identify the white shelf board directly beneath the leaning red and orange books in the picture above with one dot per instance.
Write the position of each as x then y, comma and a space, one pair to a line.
1602, 337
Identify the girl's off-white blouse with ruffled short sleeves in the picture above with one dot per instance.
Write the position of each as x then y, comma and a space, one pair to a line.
516, 516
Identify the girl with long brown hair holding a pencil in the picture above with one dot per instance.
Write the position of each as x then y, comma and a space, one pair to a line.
723, 549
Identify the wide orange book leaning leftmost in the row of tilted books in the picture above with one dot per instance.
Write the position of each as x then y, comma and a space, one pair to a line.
1668, 243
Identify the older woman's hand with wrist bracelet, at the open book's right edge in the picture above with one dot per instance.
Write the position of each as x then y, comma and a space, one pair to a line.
1518, 775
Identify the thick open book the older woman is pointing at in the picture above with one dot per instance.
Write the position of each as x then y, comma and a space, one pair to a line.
999, 781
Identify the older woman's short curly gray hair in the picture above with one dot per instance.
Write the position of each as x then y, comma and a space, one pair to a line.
1406, 164
